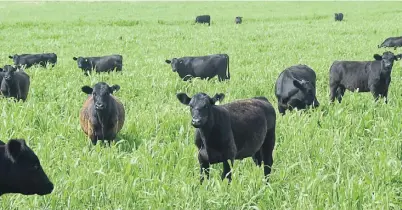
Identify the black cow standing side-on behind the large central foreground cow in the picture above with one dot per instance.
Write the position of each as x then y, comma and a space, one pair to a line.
202, 66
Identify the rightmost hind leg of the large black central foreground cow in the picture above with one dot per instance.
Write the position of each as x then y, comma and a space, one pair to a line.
267, 150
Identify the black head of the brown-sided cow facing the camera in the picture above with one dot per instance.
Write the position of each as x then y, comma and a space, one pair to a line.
101, 94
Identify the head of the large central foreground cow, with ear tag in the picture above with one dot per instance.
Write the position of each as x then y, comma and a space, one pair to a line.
200, 106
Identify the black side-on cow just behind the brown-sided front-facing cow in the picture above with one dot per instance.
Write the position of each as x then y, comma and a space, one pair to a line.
100, 64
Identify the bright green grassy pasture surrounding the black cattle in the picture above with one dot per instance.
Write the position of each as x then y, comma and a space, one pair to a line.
341, 156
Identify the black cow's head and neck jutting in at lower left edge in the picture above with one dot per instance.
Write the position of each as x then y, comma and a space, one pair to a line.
21, 171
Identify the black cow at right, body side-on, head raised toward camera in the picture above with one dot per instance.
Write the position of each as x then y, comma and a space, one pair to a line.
364, 76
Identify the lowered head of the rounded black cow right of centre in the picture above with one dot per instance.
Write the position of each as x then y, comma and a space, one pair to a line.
305, 91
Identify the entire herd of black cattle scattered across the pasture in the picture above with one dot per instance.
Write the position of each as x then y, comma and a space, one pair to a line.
237, 130
